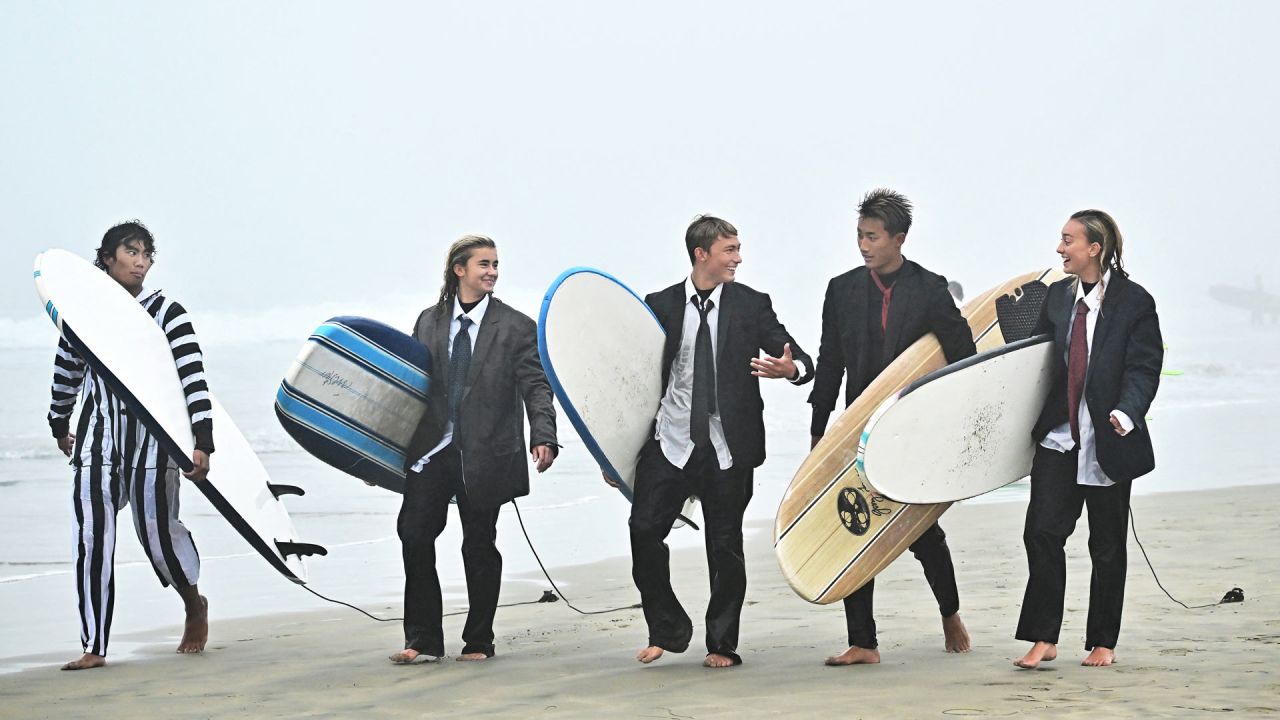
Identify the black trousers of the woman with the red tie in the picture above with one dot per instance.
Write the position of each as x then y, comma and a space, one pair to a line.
1055, 507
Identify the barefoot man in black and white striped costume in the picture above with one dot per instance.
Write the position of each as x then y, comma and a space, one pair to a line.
117, 462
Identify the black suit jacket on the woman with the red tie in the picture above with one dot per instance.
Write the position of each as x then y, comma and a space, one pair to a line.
1123, 373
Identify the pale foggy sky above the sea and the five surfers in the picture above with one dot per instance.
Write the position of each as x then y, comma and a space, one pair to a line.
289, 154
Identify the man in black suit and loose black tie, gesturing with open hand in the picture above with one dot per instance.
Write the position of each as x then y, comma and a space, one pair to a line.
708, 436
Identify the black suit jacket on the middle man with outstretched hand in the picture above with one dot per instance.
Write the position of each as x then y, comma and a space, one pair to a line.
746, 326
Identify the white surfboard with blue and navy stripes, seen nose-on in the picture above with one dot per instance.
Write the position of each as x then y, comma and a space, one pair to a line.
354, 398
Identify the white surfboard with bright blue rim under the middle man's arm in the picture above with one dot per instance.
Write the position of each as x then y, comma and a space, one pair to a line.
602, 350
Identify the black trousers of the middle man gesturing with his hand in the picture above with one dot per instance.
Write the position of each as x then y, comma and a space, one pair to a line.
661, 490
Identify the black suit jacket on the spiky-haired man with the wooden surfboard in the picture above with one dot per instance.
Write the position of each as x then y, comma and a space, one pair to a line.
922, 304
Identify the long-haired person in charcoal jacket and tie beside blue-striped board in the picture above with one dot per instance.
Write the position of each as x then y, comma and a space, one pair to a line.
470, 446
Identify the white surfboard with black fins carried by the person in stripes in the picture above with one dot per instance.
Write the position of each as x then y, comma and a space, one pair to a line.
127, 349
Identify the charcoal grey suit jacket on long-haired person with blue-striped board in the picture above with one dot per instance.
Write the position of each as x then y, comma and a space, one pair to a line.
504, 377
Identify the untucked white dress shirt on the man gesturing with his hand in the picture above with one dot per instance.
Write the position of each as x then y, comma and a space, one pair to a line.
675, 411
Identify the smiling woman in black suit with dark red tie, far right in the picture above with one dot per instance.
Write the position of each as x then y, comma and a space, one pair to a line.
1092, 435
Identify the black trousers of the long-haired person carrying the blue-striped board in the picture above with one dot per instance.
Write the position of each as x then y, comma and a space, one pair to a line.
424, 513
